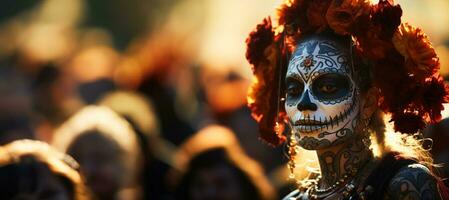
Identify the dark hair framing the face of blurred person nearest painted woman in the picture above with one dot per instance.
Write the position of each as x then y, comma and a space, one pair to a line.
213, 158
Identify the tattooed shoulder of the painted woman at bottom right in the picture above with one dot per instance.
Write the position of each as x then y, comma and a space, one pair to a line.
414, 181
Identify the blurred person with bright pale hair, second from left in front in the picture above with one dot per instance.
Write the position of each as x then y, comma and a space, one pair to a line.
106, 148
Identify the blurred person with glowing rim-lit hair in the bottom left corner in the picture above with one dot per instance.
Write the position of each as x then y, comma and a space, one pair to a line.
34, 170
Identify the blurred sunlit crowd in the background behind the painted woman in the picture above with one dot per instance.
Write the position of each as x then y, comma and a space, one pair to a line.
139, 99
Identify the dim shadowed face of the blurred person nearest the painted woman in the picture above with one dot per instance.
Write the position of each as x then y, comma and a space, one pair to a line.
219, 182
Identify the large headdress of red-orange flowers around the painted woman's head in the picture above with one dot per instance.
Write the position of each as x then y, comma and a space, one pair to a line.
403, 63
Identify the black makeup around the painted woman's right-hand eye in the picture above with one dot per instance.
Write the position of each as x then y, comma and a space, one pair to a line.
331, 86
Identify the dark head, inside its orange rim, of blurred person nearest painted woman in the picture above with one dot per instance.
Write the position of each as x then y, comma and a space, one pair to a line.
212, 175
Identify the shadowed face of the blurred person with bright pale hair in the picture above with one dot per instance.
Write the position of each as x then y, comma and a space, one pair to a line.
101, 163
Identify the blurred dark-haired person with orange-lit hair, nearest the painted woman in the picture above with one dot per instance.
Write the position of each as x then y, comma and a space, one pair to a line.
213, 166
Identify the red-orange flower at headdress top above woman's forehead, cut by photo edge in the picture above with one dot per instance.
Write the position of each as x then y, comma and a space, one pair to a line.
342, 14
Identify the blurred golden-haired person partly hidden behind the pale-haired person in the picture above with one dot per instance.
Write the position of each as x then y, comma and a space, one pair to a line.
157, 152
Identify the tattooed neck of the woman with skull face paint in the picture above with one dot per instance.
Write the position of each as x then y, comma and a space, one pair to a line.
343, 159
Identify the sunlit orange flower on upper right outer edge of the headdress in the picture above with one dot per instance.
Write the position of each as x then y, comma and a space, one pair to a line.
420, 57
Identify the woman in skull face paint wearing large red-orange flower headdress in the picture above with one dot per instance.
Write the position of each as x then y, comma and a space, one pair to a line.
328, 76
